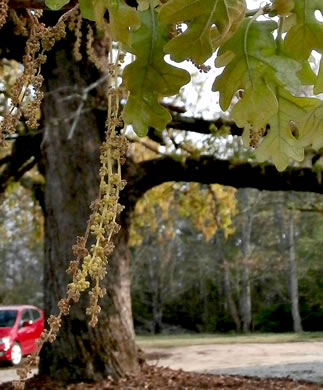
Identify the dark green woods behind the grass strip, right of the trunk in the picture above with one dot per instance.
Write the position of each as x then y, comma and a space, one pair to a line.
197, 297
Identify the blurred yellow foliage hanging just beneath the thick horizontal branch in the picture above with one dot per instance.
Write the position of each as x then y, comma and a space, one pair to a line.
208, 207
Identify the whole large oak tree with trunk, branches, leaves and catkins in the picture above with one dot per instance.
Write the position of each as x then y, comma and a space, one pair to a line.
266, 65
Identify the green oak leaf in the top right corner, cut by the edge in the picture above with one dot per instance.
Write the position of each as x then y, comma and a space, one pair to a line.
307, 32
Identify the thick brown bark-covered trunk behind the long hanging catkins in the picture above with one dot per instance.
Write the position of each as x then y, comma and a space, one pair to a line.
71, 171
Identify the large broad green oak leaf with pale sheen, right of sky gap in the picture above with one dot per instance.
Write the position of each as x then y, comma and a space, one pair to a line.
252, 65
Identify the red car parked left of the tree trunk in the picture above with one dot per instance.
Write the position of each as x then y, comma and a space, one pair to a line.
20, 327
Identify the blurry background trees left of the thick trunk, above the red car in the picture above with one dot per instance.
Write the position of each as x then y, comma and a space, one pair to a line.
21, 248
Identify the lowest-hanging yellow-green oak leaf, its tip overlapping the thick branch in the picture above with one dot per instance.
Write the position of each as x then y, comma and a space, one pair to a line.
280, 144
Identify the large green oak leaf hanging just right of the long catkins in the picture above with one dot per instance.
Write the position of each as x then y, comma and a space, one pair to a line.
149, 77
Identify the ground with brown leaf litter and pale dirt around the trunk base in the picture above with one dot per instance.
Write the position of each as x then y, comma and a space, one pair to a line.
242, 361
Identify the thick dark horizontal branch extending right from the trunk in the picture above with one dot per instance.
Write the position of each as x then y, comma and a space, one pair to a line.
207, 170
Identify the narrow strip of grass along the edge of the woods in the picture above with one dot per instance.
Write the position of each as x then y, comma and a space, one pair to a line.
179, 340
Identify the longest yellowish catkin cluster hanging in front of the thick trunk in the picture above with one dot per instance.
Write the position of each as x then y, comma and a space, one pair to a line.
103, 223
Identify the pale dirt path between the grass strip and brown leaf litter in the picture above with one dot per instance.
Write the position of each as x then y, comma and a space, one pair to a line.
294, 360
